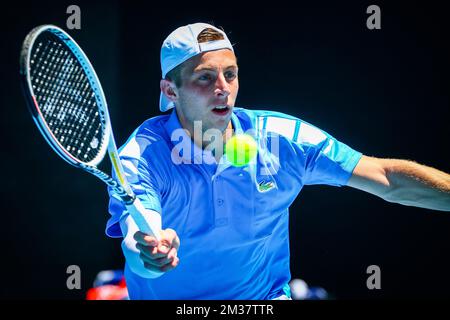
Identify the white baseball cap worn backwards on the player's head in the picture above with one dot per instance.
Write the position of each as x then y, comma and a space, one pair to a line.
182, 45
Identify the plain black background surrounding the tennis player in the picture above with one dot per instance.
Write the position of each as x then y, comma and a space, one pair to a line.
383, 92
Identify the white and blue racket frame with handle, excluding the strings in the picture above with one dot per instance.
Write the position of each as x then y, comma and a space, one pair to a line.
121, 187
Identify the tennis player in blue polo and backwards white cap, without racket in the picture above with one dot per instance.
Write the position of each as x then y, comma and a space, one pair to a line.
232, 222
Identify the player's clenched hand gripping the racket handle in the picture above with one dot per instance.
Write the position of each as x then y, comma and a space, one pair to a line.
158, 256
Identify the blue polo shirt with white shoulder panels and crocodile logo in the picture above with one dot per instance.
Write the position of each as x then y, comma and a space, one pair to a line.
232, 221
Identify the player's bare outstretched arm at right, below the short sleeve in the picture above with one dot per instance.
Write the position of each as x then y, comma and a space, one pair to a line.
403, 181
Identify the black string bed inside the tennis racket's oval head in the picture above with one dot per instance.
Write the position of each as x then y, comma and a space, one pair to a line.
65, 97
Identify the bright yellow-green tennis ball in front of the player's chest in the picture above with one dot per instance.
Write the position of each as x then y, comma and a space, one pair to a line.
241, 149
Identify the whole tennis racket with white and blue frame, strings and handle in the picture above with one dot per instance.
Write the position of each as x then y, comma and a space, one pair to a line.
68, 106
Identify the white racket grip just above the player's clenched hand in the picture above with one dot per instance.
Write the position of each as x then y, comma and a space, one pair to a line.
148, 221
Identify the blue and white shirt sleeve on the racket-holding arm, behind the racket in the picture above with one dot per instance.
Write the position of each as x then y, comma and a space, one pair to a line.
142, 180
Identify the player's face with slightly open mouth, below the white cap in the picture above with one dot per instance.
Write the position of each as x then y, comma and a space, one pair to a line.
209, 83
